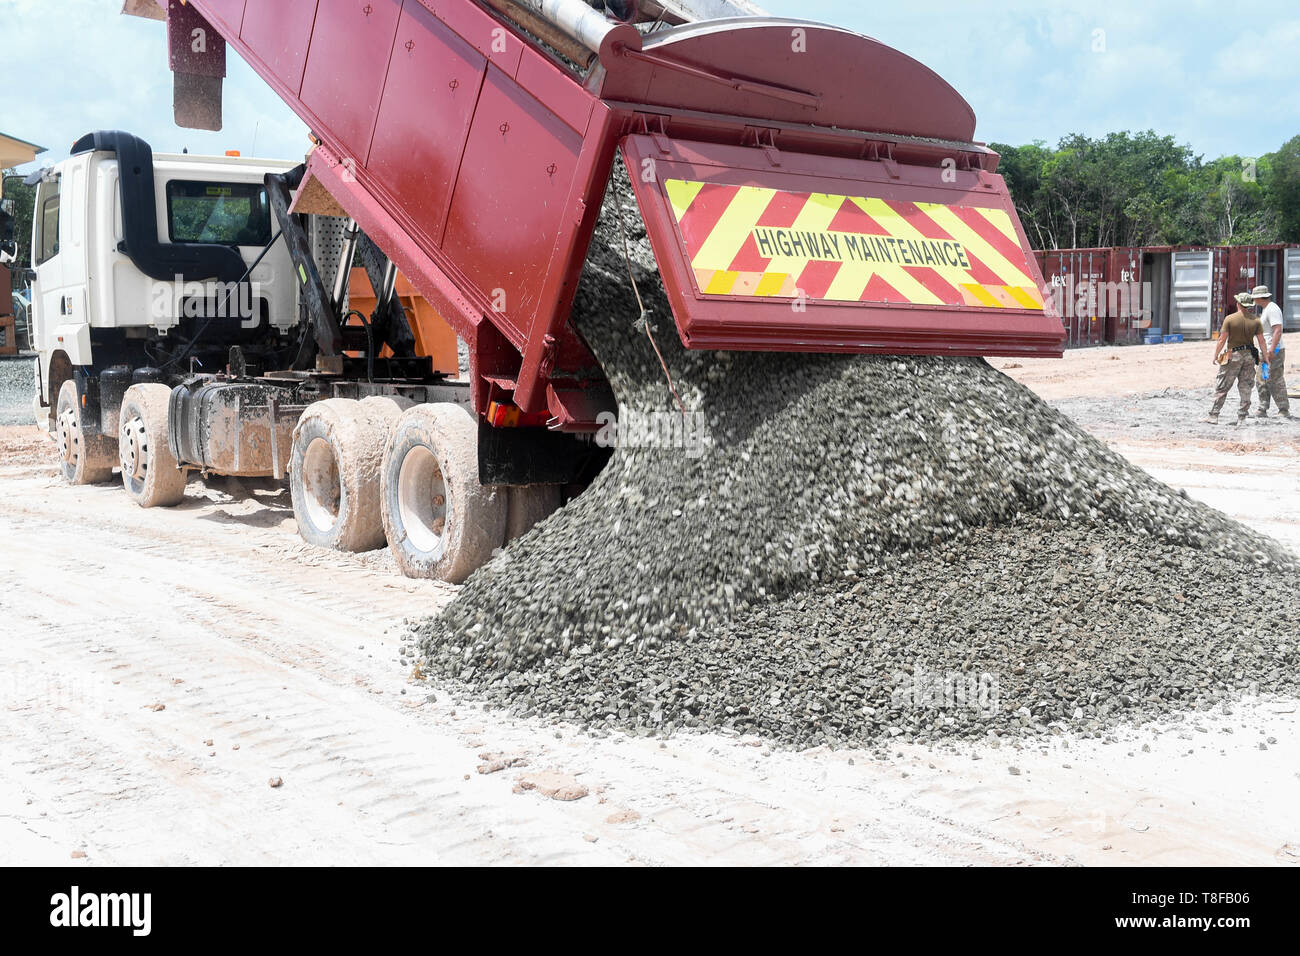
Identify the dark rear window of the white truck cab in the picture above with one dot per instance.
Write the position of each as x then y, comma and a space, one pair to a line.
231, 214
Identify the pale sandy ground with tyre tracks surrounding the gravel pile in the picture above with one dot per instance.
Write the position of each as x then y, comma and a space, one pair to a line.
159, 669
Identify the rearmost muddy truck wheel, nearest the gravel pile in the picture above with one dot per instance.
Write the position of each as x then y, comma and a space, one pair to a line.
440, 521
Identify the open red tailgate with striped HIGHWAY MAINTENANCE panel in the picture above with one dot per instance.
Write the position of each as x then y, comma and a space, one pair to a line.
768, 250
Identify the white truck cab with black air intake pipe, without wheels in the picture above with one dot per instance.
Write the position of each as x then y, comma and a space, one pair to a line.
123, 280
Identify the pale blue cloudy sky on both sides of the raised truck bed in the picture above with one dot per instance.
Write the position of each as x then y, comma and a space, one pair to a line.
1223, 77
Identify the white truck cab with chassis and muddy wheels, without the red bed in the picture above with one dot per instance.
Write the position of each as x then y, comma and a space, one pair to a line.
189, 318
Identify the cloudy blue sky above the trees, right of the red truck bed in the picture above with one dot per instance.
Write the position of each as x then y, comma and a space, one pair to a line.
1217, 76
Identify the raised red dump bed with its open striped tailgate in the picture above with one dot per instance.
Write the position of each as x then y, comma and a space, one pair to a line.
804, 188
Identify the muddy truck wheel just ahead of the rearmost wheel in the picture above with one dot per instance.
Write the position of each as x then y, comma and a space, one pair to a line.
335, 477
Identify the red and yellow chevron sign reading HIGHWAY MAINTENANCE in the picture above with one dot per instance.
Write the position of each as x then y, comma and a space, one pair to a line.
759, 243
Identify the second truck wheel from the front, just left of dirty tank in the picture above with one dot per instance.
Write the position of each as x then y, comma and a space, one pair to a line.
150, 473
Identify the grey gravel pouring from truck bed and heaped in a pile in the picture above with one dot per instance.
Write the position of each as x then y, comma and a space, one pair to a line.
851, 550
